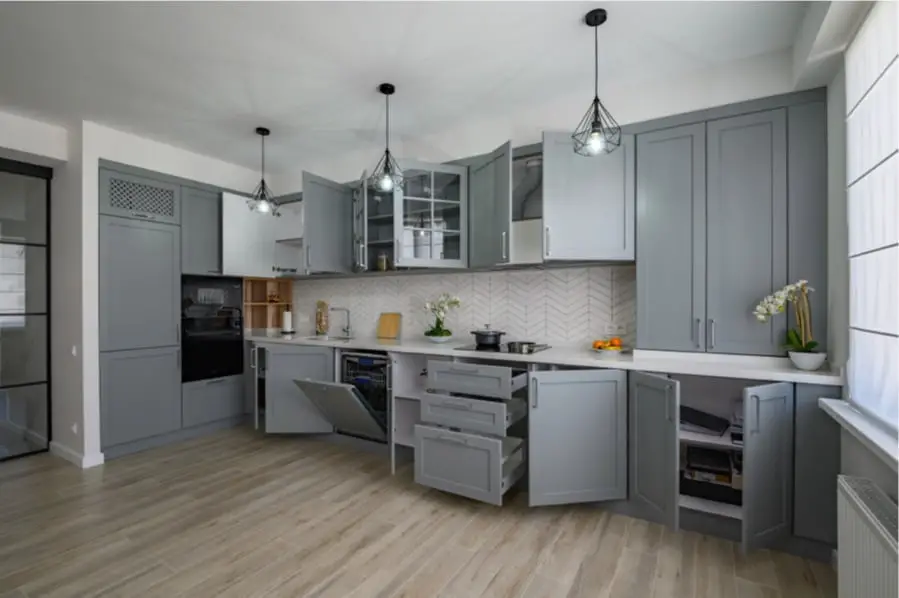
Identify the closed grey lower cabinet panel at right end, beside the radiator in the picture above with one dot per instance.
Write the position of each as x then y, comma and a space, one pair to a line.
816, 466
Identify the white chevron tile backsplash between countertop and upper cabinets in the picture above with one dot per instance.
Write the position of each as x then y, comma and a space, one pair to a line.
561, 305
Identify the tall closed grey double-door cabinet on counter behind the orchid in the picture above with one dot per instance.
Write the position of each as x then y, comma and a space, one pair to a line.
727, 211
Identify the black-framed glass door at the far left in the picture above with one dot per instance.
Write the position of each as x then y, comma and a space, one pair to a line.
24, 309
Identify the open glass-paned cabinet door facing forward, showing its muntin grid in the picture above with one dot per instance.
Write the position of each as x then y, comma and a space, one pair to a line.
431, 216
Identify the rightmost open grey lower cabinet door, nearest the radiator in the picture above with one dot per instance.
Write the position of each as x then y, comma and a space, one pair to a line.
767, 464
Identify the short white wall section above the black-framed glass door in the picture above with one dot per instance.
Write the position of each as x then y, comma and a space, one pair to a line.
32, 141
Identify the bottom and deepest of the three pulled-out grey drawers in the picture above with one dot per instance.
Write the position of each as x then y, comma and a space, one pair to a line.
474, 466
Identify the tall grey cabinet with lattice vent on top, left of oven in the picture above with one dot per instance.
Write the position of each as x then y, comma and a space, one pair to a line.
139, 305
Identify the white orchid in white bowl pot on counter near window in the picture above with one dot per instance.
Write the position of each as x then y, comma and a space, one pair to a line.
800, 345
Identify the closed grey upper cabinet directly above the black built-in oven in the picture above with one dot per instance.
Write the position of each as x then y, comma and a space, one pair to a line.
201, 231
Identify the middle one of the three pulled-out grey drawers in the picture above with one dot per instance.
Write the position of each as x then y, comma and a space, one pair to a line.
472, 415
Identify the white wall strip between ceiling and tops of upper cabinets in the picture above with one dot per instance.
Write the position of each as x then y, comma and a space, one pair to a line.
523, 123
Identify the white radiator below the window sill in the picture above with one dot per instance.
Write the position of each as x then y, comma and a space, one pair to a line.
866, 544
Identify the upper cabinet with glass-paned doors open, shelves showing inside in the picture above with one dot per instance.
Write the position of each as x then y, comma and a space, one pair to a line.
422, 224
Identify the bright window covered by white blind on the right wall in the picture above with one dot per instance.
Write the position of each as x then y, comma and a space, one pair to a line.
872, 176
